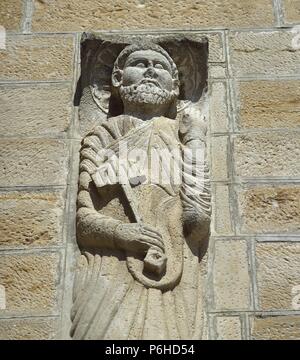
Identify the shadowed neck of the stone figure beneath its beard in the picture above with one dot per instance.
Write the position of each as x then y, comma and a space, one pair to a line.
145, 111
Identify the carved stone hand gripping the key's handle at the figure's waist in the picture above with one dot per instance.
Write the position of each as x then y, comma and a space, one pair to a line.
138, 237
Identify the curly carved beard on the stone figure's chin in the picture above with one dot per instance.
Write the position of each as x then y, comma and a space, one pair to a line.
146, 93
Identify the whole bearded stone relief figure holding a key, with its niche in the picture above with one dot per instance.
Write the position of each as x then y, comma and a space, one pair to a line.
142, 231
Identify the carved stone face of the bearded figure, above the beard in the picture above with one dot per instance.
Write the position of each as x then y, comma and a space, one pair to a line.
148, 67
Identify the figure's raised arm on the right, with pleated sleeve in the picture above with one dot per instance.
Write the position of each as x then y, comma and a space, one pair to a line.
195, 191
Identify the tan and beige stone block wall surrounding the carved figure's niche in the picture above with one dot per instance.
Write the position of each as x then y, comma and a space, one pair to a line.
254, 76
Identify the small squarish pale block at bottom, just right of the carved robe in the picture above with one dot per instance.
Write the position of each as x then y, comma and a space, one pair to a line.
228, 328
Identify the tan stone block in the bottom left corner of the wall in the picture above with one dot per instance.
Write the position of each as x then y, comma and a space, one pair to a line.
28, 329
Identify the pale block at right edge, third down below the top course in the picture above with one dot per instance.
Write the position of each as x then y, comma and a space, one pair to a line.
269, 154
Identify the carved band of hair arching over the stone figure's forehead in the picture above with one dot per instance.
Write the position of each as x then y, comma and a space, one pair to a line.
122, 57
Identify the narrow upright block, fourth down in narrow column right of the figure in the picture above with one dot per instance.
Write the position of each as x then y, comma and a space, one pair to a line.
219, 167
